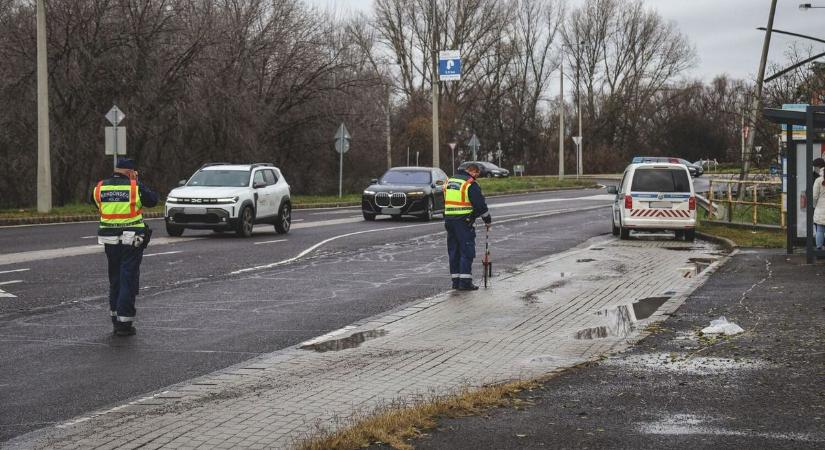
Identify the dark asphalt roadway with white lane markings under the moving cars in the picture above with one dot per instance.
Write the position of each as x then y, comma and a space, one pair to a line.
213, 301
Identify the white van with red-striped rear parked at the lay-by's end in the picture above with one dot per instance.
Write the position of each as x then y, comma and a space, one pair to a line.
655, 197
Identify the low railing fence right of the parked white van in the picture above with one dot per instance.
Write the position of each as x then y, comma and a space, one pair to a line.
754, 188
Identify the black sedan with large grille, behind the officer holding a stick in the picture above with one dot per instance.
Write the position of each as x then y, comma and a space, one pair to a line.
414, 191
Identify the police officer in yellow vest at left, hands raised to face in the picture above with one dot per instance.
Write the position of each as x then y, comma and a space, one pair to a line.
120, 200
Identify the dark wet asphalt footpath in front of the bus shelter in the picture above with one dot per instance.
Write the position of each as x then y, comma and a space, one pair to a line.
761, 389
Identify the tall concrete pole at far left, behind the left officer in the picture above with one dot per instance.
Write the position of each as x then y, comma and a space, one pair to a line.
44, 169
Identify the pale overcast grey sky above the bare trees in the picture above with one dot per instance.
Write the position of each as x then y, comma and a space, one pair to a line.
722, 31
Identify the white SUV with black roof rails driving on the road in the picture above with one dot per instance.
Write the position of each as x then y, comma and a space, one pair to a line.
222, 196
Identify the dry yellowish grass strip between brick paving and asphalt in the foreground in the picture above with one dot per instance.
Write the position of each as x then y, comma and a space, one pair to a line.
394, 425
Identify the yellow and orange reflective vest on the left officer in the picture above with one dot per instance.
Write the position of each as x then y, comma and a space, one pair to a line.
119, 205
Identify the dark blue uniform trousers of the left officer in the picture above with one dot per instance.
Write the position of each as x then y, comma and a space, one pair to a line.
124, 275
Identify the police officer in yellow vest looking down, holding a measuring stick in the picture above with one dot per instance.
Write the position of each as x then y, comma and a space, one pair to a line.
463, 203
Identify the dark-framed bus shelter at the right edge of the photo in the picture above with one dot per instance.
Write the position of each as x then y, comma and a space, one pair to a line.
798, 172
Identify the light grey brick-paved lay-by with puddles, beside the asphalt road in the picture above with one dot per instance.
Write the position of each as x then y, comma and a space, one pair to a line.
525, 326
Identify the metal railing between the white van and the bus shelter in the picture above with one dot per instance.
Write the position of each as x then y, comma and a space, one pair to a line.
755, 187
